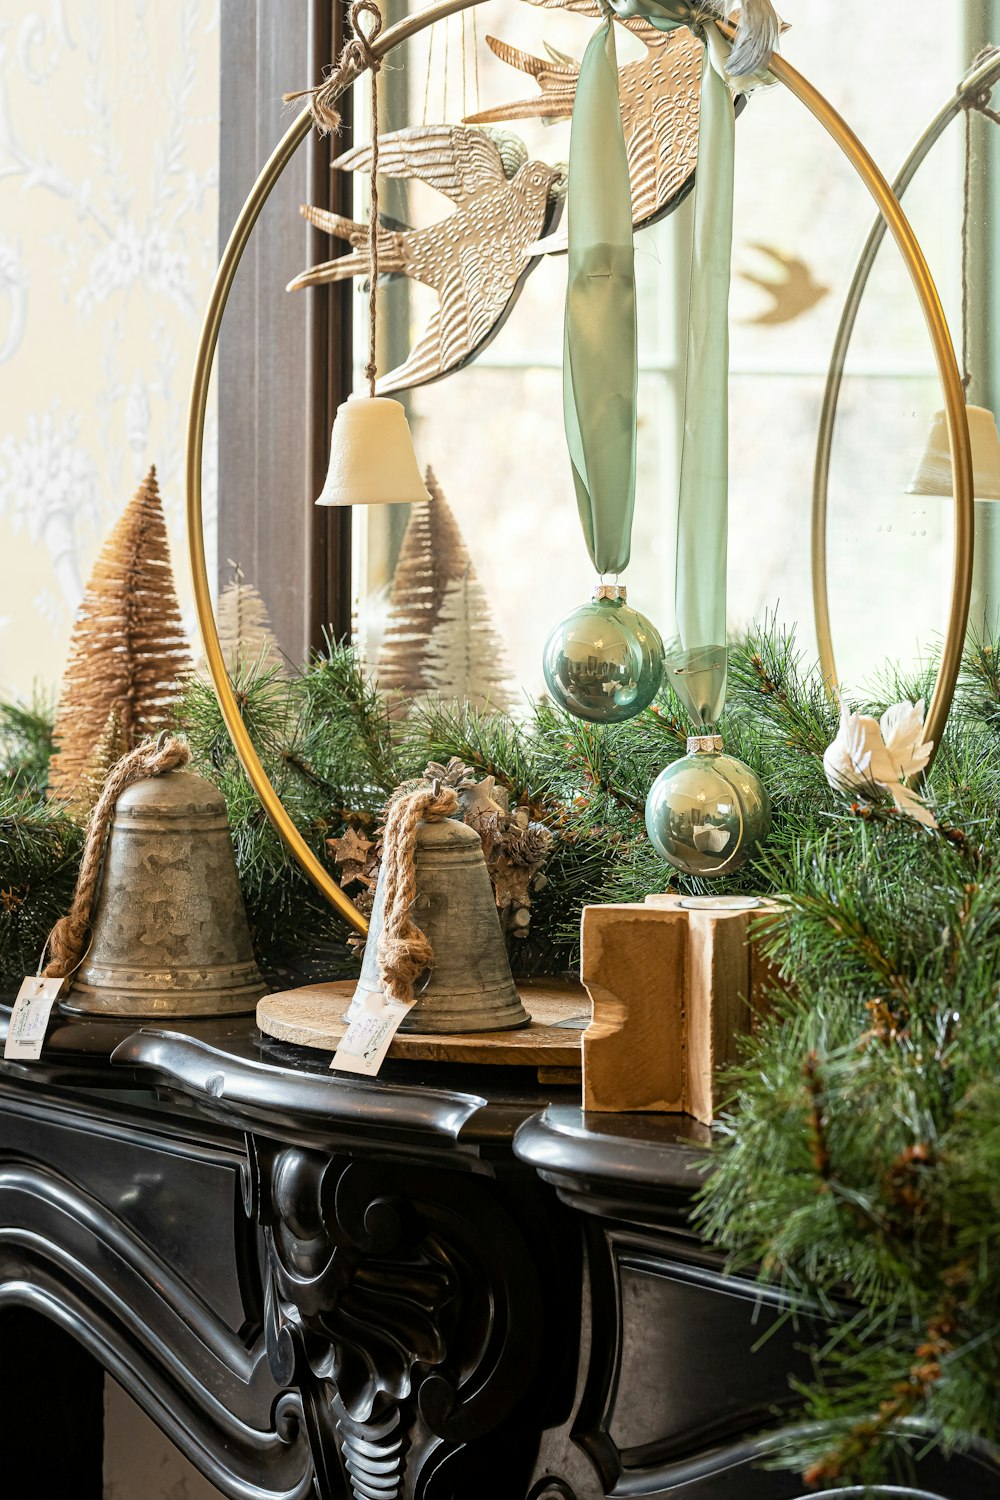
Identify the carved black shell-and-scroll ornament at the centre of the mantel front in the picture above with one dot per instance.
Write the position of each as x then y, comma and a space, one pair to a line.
406, 1304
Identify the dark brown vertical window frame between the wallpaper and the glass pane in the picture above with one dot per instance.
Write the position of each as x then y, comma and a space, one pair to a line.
284, 361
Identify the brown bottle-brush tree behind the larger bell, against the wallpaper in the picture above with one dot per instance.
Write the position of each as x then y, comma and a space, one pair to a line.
128, 652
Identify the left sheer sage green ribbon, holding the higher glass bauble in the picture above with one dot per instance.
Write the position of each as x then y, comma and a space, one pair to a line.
600, 367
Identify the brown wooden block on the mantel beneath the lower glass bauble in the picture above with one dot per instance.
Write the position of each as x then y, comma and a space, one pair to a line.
672, 991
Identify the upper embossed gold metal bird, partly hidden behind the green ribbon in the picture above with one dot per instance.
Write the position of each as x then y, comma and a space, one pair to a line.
660, 100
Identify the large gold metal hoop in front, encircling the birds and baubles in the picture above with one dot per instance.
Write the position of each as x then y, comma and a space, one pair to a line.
274, 169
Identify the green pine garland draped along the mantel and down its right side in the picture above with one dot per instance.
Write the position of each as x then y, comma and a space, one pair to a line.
860, 1168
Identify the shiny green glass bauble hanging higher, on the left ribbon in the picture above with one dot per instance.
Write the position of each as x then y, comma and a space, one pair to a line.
605, 661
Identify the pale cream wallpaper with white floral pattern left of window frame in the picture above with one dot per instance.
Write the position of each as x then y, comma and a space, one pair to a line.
109, 206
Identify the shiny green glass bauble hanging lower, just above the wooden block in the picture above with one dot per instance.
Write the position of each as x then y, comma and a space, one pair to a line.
708, 814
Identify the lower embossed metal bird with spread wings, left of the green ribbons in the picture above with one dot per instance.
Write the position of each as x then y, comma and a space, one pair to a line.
476, 259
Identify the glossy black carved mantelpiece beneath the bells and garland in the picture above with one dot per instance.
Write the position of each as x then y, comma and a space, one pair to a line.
442, 1285
